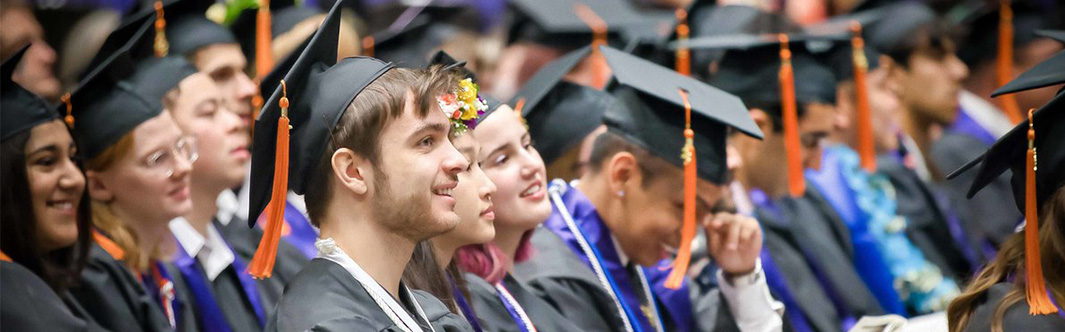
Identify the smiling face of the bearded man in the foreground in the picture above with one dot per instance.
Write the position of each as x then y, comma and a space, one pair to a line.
417, 173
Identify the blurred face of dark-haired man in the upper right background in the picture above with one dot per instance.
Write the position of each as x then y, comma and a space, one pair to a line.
930, 85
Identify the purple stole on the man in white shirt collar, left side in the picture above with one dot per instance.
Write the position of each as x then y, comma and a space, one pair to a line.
207, 307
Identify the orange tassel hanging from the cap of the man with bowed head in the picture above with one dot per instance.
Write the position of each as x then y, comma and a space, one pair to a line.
677, 277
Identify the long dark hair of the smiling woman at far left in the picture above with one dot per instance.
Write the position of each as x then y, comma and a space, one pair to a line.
19, 230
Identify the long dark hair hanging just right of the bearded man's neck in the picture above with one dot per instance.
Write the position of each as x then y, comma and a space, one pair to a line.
424, 273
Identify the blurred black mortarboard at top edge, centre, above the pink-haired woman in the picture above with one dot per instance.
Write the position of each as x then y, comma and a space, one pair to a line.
556, 23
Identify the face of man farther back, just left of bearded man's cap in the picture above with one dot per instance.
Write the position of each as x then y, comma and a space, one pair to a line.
225, 63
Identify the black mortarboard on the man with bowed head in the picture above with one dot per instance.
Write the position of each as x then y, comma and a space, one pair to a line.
650, 113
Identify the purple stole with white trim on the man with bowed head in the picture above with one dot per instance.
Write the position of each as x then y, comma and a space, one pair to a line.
634, 322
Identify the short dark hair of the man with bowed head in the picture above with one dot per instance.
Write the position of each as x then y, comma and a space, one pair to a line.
610, 144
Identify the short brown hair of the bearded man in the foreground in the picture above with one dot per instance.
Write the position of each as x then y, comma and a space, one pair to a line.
361, 127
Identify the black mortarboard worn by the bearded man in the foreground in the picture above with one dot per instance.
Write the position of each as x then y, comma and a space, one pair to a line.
320, 90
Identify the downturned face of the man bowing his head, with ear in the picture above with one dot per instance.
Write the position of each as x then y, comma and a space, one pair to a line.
653, 215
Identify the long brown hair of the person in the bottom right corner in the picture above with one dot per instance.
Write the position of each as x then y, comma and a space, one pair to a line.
1011, 262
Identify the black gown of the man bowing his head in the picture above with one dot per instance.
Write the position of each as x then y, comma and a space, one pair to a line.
558, 276
